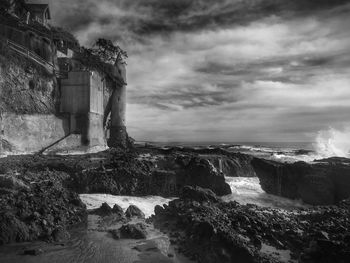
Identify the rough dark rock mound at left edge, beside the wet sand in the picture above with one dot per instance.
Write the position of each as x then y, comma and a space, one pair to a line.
40, 209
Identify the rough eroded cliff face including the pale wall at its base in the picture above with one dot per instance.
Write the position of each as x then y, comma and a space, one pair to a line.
29, 100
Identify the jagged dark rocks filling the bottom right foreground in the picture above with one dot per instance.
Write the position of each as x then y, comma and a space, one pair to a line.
229, 232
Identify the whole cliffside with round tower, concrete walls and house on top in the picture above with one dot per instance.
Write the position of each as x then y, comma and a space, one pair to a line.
58, 104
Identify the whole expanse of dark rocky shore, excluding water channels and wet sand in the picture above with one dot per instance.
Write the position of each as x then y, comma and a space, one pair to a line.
39, 201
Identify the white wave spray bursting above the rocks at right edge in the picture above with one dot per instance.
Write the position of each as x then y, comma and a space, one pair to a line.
333, 143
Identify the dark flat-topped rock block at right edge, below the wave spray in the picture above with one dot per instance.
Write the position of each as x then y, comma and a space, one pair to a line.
324, 182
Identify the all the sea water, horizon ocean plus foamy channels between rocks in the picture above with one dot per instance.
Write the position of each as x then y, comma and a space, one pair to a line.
328, 143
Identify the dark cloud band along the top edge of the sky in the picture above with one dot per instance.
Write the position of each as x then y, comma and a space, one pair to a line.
166, 16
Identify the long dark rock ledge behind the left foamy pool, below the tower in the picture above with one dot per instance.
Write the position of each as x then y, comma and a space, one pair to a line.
128, 174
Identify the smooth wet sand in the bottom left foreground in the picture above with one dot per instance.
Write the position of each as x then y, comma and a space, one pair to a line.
94, 244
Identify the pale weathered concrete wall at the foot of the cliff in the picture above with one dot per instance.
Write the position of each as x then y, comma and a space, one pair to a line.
30, 133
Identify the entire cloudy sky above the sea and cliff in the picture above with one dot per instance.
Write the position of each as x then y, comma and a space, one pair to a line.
225, 70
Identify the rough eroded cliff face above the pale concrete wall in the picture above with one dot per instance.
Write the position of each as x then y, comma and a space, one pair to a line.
24, 87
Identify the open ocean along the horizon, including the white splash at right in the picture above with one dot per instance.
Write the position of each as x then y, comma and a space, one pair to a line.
327, 143
